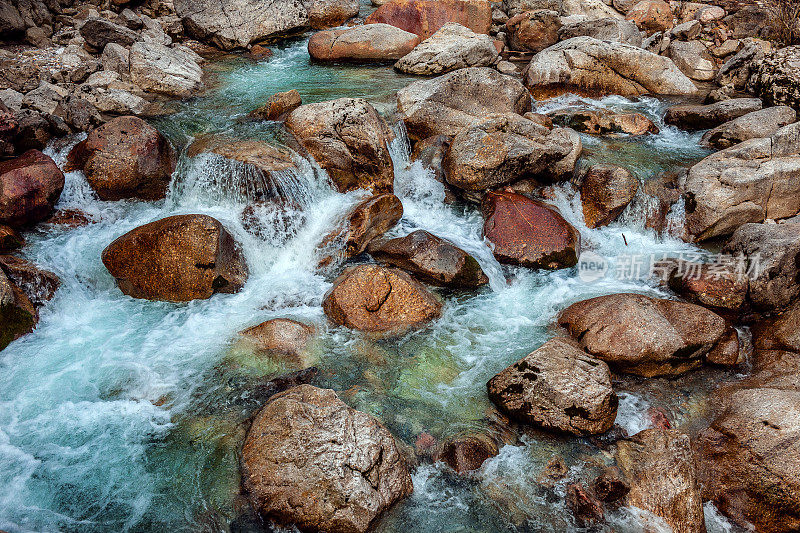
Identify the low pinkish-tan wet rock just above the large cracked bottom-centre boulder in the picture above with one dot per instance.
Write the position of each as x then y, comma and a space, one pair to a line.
284, 339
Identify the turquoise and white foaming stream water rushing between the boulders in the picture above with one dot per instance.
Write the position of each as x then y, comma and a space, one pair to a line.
119, 414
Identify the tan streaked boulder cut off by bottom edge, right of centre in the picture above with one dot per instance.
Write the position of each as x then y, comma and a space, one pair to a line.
659, 466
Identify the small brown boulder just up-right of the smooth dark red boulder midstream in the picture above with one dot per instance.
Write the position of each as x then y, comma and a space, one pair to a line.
605, 193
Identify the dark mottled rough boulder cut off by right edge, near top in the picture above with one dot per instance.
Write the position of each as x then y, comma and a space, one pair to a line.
777, 80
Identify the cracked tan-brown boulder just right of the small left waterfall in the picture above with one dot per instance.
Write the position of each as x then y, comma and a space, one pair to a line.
349, 139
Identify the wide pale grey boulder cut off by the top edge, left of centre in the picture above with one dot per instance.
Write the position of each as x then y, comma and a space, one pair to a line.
239, 23
